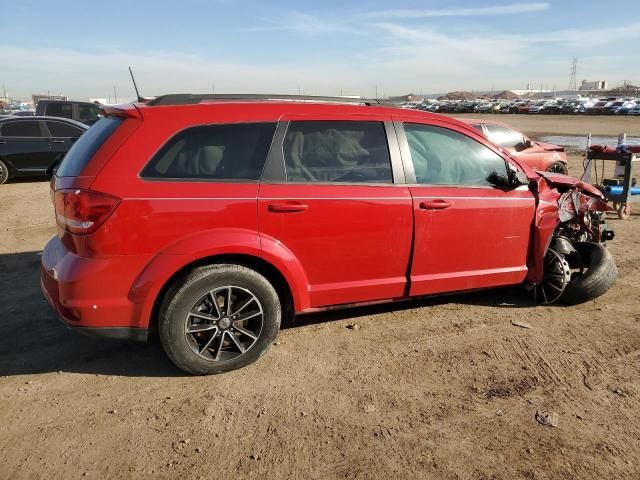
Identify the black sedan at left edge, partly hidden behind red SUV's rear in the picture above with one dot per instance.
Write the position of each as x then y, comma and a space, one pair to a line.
29, 145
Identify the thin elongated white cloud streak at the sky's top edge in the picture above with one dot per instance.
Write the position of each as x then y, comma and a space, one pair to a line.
489, 10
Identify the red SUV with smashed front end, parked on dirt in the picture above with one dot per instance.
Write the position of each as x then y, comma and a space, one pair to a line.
212, 218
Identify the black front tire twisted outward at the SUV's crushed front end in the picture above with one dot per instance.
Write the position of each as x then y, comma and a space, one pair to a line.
598, 276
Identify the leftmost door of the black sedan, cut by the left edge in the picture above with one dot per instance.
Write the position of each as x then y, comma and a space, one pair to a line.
25, 145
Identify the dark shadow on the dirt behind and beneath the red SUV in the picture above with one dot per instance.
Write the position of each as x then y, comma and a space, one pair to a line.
35, 341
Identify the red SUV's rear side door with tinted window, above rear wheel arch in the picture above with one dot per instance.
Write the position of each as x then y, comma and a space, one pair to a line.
333, 196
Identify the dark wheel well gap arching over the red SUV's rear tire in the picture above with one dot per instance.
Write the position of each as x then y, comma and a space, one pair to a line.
261, 266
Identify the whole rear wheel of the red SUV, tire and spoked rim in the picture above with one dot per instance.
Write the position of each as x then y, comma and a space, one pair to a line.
212, 341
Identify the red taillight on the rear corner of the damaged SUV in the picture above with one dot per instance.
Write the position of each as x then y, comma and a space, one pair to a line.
82, 211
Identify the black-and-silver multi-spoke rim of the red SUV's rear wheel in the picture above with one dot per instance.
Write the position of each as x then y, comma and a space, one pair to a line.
224, 323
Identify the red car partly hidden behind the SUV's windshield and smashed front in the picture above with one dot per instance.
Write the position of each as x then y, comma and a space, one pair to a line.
538, 155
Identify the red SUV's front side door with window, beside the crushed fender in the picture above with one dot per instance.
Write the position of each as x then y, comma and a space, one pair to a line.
468, 232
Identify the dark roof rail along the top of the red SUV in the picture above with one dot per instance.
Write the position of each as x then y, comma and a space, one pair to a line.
191, 99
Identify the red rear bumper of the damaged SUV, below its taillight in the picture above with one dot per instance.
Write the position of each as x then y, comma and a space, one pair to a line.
90, 295
